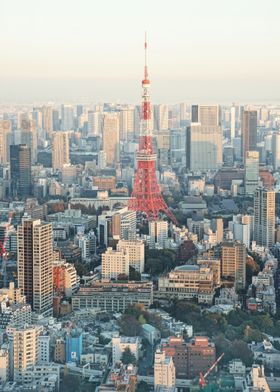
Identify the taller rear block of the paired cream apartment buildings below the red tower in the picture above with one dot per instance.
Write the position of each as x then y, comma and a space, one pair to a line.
136, 253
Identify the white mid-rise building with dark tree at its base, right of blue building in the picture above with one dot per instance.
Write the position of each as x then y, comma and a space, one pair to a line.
120, 343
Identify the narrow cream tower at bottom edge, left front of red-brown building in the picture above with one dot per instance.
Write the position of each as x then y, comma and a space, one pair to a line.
164, 371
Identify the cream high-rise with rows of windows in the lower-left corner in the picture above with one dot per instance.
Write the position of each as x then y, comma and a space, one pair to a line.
24, 349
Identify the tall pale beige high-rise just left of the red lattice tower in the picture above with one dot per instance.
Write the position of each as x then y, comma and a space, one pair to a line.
111, 137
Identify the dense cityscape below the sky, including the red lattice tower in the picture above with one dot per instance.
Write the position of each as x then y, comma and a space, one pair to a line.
139, 245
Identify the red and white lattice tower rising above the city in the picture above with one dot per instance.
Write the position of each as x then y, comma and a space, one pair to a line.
146, 195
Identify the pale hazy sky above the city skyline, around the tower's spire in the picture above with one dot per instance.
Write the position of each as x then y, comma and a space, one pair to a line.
199, 50
